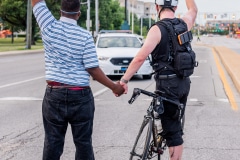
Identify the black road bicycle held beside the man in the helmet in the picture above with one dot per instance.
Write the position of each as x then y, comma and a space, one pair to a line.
149, 143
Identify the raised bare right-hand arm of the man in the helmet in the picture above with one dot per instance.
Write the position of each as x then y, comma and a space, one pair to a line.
191, 14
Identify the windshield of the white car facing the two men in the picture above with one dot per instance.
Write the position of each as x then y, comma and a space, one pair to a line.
107, 42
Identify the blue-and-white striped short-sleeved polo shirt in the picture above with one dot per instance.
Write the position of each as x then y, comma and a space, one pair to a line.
69, 49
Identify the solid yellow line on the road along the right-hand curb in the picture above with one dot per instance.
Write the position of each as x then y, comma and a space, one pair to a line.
226, 85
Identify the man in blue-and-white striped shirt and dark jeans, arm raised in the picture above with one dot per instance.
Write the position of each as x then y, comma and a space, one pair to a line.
70, 59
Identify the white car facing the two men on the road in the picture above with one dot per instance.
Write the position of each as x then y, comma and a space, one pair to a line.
115, 52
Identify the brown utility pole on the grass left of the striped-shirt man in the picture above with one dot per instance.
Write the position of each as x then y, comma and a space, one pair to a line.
29, 25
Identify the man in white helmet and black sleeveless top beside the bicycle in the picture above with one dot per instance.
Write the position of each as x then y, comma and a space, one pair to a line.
176, 88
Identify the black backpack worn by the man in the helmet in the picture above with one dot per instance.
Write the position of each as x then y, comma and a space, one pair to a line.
183, 58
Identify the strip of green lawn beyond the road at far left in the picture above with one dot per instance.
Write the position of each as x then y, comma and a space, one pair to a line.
18, 44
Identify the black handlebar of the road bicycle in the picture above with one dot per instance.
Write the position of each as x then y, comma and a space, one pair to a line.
138, 91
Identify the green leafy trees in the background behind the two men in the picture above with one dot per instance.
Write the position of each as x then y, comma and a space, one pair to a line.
111, 16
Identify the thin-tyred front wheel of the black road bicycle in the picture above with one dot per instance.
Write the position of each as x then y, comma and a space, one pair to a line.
142, 142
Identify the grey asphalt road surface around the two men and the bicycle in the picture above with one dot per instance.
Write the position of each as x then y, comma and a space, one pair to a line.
211, 130
